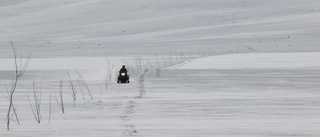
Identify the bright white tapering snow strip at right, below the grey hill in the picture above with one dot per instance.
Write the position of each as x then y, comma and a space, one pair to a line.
303, 60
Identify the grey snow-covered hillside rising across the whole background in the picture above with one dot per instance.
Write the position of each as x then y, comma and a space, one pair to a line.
81, 27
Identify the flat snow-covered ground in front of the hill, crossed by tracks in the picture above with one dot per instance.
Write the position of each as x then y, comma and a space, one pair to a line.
217, 99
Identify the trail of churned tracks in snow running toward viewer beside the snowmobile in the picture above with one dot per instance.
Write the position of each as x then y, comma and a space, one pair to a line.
128, 109
